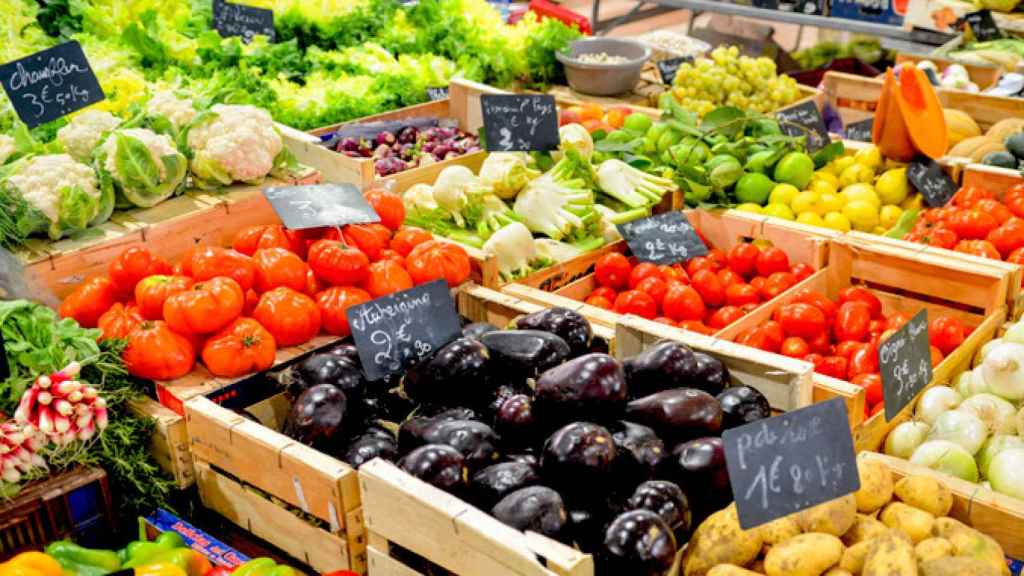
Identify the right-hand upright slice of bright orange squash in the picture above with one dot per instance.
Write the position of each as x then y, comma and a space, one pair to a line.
923, 113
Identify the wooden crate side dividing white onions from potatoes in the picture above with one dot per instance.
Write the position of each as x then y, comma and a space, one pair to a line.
996, 515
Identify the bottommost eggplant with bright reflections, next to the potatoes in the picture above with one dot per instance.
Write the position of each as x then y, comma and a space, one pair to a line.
638, 544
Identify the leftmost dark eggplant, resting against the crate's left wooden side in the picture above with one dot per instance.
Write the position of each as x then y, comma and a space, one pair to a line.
317, 416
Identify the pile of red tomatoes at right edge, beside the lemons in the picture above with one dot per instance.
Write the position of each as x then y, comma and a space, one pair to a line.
976, 223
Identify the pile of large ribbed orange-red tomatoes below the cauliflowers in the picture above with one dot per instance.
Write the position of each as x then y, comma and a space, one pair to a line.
234, 308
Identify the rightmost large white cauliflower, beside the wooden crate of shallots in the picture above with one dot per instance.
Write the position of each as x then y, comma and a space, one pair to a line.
234, 144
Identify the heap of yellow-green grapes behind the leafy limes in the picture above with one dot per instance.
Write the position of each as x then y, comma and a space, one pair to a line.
730, 79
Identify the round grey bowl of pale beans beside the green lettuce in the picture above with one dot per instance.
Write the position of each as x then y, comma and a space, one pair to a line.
605, 79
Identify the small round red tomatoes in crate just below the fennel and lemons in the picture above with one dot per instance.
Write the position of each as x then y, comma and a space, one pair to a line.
704, 296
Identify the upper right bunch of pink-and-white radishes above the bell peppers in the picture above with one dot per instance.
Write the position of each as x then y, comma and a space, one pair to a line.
63, 408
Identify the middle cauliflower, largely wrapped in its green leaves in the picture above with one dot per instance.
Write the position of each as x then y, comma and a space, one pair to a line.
144, 167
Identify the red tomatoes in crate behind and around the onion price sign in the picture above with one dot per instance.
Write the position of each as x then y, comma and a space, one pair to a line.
841, 338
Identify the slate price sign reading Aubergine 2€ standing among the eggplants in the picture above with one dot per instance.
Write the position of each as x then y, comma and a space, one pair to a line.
400, 331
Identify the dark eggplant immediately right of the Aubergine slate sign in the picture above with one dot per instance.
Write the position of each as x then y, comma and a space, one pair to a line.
459, 374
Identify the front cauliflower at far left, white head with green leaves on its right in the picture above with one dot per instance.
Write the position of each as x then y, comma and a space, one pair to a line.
61, 195
